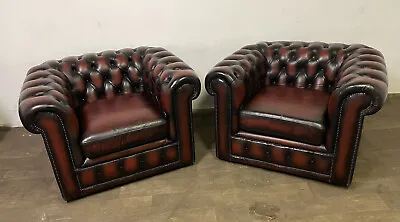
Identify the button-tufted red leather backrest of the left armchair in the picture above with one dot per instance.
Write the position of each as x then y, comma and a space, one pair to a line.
102, 75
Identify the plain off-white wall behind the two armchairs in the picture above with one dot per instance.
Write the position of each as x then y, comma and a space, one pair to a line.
201, 32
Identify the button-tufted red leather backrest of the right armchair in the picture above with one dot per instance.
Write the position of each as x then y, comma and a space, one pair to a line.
304, 65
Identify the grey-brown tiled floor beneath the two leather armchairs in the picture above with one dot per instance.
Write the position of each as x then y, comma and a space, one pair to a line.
211, 190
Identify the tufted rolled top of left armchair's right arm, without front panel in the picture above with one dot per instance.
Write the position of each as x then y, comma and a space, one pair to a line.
165, 74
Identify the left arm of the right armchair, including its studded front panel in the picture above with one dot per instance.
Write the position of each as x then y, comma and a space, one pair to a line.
231, 82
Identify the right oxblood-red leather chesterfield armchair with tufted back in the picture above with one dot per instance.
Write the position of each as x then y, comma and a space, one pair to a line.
296, 107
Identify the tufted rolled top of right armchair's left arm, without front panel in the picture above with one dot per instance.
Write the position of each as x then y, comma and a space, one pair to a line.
242, 72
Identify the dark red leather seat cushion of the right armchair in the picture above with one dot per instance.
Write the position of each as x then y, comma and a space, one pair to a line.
288, 113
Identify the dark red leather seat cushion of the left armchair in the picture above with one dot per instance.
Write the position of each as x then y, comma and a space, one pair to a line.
111, 125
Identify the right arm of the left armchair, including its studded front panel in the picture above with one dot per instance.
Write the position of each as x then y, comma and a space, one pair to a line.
172, 84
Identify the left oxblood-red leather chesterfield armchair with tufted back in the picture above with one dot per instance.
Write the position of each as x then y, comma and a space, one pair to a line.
111, 118
